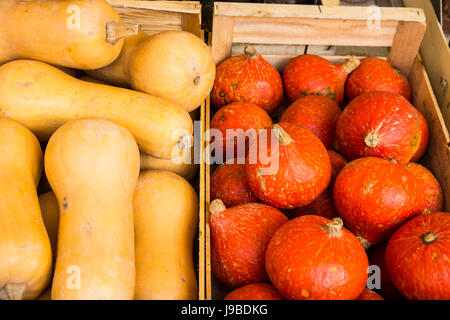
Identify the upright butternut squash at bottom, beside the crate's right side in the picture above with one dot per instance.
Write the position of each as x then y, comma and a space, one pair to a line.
166, 215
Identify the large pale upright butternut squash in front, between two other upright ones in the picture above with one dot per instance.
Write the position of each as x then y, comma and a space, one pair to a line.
93, 166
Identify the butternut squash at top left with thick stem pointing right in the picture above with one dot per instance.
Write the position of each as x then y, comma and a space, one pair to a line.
80, 34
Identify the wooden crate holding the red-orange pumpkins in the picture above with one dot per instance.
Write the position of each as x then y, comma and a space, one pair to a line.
401, 29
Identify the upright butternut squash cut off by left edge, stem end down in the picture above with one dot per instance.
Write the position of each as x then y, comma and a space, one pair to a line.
25, 252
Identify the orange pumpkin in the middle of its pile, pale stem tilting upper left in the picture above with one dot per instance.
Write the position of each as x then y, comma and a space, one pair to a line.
300, 163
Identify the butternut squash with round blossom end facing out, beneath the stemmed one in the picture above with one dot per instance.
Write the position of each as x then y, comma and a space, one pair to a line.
174, 65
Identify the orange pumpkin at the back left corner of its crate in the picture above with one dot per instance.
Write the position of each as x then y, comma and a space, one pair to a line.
248, 78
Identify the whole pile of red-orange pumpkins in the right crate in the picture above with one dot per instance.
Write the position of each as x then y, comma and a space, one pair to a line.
346, 188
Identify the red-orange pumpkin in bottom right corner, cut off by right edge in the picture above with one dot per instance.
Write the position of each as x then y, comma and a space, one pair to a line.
417, 257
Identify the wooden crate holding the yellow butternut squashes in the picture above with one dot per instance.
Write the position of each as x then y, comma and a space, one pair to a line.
157, 16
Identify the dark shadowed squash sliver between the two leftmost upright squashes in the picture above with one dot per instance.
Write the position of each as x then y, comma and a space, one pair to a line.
50, 215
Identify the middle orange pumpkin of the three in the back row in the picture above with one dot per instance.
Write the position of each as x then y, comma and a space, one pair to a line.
310, 74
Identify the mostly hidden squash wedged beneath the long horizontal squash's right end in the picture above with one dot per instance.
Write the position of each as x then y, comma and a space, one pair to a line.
182, 165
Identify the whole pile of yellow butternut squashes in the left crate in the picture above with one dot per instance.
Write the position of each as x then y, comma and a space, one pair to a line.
113, 231
